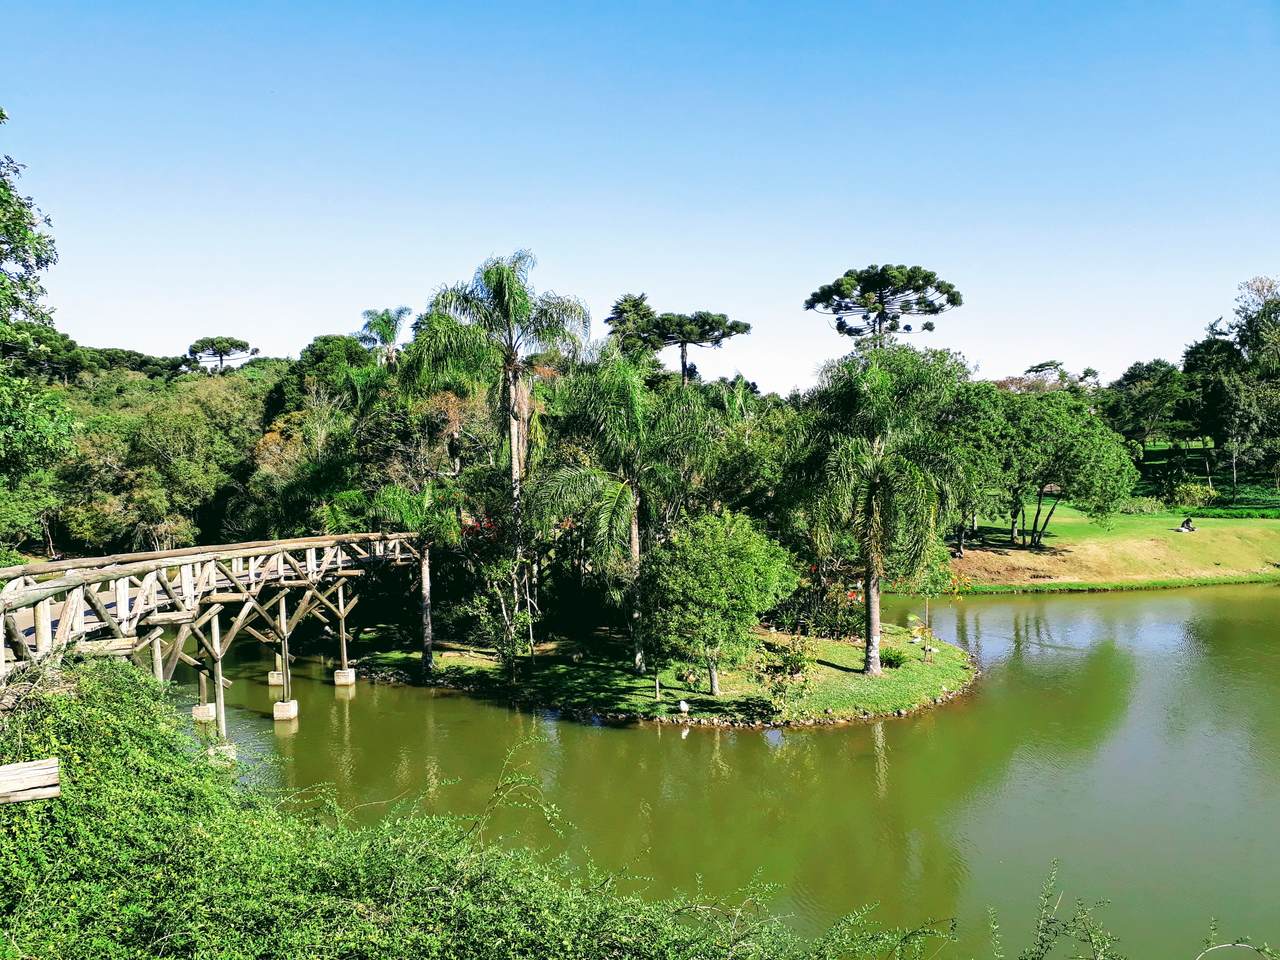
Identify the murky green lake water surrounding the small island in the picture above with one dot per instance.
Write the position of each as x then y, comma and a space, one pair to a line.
1136, 738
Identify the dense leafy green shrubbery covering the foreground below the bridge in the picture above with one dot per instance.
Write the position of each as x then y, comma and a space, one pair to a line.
153, 851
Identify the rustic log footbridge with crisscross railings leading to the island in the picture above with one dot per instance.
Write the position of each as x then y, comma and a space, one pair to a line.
168, 609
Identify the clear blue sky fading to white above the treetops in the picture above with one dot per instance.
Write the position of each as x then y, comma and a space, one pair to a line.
1095, 177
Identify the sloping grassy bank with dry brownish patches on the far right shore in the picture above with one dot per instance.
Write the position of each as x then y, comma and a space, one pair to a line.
1128, 554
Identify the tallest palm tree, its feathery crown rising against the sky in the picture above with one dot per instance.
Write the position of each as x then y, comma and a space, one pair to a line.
500, 323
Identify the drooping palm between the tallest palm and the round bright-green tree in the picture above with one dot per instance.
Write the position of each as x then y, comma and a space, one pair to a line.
650, 451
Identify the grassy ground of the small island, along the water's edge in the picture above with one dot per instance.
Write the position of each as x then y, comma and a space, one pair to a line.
600, 683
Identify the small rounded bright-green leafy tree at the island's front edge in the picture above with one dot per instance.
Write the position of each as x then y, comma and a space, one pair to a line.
705, 591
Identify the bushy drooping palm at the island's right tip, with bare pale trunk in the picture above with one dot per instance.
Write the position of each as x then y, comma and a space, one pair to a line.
876, 467
